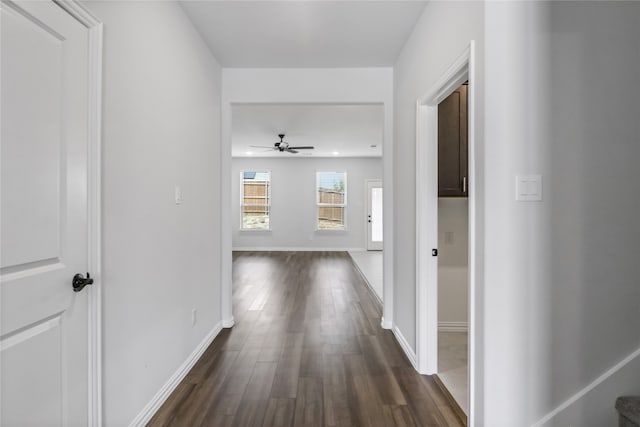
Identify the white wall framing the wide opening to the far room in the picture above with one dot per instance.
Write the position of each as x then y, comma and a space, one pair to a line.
315, 86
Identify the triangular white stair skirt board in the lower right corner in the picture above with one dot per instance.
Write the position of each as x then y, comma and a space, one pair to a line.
593, 405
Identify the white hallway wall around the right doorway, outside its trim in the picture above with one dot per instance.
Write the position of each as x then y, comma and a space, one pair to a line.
442, 34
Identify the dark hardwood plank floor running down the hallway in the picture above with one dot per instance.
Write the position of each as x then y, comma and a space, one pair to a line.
307, 350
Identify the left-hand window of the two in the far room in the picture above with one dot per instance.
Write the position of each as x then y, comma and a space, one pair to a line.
255, 199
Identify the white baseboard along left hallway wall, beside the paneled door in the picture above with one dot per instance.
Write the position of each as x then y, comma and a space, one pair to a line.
161, 396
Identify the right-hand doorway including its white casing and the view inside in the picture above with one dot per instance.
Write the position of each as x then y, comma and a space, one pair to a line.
446, 246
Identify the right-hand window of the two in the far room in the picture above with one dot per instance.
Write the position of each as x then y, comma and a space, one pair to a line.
332, 200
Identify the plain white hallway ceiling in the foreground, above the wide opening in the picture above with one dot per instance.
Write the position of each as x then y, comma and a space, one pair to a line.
305, 33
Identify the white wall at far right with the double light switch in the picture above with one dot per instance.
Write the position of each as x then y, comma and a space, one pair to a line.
562, 300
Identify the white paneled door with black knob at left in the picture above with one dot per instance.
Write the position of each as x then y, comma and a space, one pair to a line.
43, 223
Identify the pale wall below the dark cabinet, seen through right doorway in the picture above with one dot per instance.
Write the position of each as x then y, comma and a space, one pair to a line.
453, 241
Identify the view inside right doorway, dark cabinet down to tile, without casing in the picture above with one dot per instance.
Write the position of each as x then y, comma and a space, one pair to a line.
453, 220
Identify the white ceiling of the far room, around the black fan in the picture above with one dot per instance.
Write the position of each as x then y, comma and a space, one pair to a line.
334, 130
